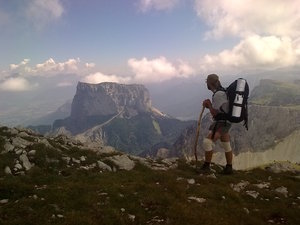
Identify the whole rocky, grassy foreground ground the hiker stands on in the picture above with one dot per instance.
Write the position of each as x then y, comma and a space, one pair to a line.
61, 181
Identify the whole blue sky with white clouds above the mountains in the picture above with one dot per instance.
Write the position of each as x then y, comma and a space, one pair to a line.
142, 41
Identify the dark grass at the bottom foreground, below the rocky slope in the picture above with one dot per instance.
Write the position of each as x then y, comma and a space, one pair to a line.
90, 197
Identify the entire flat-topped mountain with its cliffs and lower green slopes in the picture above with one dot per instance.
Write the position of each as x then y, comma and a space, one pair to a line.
119, 115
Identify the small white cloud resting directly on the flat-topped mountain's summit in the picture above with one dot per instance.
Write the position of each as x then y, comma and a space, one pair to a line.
99, 77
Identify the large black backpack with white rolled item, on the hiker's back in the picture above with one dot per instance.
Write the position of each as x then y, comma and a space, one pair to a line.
237, 93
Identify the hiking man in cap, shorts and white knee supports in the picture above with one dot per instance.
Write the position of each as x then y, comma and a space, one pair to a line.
220, 127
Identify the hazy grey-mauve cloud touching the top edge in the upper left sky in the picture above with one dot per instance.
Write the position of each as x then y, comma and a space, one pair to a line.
42, 12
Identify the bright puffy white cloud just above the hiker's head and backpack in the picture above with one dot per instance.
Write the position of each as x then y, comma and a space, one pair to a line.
254, 52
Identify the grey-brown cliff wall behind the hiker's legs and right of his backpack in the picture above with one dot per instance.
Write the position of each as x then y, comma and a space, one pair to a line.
268, 126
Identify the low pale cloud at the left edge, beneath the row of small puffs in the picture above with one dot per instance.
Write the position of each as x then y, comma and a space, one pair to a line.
16, 85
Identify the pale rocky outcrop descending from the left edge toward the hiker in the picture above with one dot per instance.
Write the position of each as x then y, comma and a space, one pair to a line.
61, 153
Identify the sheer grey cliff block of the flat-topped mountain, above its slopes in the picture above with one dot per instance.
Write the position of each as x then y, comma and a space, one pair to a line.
108, 99
